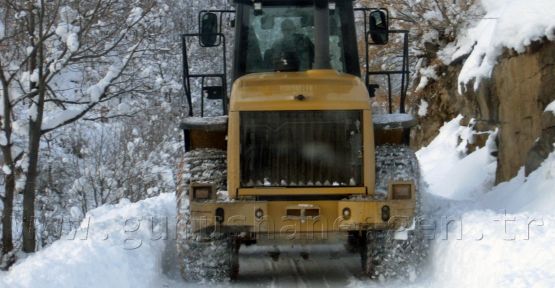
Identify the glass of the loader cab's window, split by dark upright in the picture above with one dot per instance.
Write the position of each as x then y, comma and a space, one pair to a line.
281, 38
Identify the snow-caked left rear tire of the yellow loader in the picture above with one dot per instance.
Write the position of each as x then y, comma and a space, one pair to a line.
203, 255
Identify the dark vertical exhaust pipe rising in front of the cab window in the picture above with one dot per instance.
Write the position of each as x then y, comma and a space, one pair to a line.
322, 37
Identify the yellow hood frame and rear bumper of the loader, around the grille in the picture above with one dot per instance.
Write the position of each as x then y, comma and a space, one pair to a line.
317, 211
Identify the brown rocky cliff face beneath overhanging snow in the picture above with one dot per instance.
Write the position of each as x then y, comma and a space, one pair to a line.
512, 101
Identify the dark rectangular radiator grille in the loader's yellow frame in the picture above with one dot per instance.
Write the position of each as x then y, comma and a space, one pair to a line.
301, 149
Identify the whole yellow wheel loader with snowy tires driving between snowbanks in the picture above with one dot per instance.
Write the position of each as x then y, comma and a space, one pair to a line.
296, 154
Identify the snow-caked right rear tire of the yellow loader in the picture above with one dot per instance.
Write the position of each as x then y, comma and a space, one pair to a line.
382, 256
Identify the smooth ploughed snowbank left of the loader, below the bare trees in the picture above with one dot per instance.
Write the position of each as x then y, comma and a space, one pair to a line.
121, 249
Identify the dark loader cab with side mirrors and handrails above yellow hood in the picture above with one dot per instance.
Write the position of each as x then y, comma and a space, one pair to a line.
281, 36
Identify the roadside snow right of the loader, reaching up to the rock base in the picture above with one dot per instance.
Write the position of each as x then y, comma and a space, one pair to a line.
500, 237
